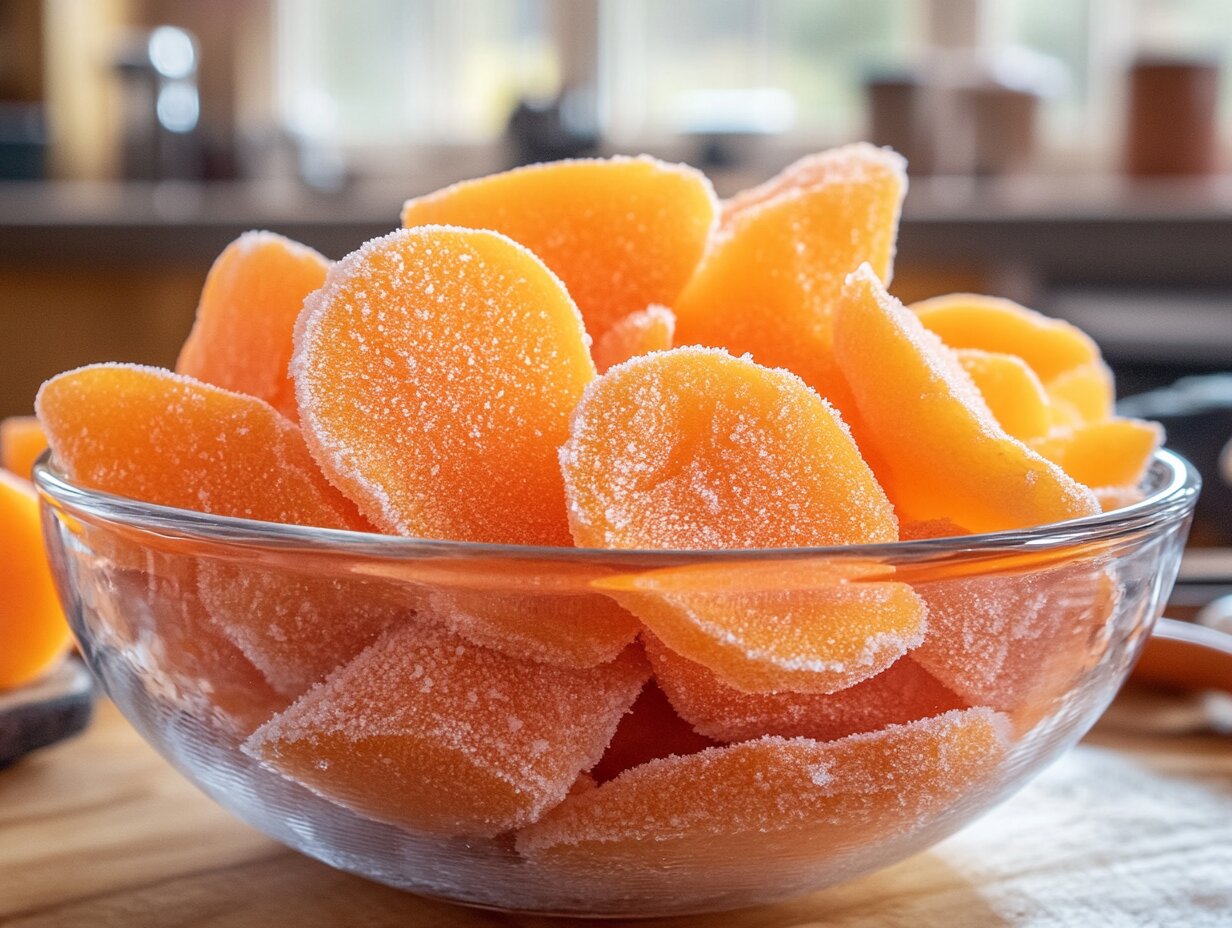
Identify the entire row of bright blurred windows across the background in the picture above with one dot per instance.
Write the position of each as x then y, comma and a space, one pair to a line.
397, 73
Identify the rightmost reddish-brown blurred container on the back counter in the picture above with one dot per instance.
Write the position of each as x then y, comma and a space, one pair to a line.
1172, 116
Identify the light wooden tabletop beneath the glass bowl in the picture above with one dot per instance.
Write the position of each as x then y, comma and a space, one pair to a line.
1132, 829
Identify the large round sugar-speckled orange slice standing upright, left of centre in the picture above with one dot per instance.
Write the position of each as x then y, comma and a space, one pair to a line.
437, 372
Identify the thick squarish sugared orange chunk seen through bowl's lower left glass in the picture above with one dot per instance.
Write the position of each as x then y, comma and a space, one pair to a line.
428, 731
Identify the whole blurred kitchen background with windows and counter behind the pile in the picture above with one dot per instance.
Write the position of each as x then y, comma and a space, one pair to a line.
1072, 155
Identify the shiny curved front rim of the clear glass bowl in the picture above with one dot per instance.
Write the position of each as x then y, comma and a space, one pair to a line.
1173, 499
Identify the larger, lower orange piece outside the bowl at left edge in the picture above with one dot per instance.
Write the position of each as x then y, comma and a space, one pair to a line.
33, 629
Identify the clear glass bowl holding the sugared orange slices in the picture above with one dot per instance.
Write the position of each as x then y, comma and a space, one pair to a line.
411, 762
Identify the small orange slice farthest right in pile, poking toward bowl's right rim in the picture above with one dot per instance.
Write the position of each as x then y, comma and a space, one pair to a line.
1111, 453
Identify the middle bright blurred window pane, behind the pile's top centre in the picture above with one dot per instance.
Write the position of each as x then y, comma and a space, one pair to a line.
671, 66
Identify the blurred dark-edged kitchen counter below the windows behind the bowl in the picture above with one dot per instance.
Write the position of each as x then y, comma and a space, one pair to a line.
1095, 230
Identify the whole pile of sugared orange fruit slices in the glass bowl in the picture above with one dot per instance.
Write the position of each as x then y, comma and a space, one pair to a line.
602, 354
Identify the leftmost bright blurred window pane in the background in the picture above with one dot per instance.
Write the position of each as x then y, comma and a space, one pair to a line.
389, 72
